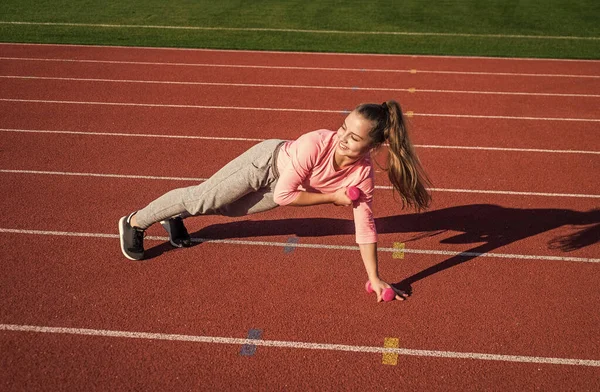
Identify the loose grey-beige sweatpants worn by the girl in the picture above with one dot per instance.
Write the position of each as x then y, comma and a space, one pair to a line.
244, 186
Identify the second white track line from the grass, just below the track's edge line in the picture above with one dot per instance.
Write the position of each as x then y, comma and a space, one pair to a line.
334, 69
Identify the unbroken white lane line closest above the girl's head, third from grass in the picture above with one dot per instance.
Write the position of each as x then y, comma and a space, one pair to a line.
293, 86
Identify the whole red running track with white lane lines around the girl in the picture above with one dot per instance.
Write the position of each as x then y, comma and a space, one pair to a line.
530, 295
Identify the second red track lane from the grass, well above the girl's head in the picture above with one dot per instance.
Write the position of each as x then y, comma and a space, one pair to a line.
333, 79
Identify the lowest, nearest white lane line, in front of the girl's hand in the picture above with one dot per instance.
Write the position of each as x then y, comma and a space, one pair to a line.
298, 345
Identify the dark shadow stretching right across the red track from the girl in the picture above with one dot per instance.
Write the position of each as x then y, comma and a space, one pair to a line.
488, 226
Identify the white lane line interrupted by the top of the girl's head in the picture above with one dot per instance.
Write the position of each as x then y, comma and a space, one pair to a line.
346, 111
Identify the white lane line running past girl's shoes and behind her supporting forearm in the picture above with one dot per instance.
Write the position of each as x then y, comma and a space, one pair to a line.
311, 246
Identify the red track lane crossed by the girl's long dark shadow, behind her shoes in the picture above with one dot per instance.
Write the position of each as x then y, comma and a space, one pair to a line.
458, 223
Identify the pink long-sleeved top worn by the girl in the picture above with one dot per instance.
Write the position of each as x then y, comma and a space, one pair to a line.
306, 164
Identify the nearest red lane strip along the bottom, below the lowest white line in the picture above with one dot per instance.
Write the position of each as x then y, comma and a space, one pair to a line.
52, 362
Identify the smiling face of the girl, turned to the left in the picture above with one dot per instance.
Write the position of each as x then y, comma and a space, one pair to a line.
353, 136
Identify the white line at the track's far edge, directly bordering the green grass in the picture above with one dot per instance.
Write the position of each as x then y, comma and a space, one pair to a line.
332, 54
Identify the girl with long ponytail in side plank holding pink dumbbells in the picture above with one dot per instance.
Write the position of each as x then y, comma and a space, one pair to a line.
317, 168
